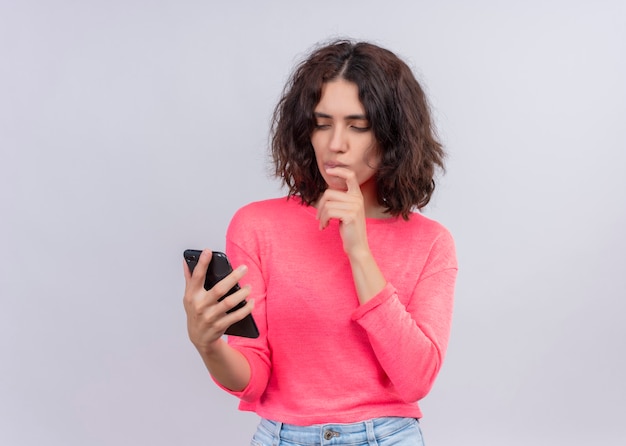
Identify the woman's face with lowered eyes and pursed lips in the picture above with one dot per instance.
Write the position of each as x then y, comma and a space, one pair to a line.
343, 136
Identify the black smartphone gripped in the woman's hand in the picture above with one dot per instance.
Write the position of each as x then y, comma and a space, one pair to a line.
218, 269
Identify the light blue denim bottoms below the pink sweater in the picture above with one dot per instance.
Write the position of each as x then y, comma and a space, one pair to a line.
388, 431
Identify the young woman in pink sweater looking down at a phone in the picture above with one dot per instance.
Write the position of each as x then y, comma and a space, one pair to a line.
351, 288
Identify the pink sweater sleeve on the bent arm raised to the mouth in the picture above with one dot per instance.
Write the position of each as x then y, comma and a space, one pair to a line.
410, 341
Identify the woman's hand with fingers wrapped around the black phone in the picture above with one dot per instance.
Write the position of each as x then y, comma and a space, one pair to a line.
206, 317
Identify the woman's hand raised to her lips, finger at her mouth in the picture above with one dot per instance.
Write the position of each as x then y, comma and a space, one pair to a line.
348, 207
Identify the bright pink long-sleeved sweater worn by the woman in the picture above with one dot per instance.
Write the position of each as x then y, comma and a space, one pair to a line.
321, 356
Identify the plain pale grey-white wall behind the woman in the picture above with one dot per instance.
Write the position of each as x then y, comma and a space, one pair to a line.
119, 118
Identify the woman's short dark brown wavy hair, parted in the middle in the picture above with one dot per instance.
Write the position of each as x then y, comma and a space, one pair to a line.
396, 108
